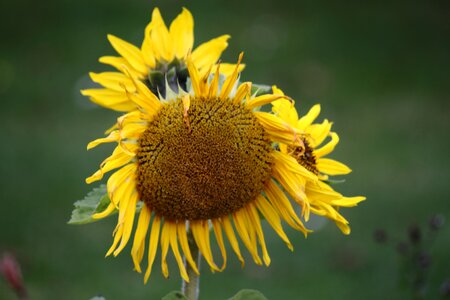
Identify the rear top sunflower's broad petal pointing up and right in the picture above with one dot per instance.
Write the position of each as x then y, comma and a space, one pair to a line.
208, 53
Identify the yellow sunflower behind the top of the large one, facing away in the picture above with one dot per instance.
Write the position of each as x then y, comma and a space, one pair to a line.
160, 60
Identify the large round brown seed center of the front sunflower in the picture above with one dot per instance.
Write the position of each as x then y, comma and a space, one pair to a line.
203, 166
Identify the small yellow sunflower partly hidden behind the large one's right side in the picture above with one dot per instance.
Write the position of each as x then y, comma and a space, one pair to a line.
322, 199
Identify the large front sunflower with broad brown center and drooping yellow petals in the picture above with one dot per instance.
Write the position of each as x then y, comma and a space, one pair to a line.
202, 161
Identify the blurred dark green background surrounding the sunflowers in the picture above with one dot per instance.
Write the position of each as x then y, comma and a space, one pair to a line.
380, 69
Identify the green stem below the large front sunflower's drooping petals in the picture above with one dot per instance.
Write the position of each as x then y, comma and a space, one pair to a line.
191, 289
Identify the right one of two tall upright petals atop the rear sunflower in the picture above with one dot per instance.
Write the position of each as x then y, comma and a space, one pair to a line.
182, 33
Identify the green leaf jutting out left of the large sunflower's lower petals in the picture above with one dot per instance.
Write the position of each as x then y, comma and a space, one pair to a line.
95, 201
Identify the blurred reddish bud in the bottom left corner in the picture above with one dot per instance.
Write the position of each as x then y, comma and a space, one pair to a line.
10, 270
